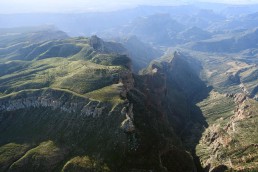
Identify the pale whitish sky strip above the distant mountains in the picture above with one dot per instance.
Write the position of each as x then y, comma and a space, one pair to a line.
20, 6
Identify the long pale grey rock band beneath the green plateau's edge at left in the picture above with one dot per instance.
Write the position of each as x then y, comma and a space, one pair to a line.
83, 106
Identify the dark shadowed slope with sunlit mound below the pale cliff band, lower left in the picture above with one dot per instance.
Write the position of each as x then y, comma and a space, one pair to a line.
46, 139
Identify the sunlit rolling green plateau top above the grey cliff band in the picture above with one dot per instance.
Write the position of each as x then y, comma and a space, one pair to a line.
71, 64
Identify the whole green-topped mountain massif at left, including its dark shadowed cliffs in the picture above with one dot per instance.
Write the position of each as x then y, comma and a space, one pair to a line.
118, 126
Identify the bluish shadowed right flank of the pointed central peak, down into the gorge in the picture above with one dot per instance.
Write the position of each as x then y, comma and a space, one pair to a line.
175, 89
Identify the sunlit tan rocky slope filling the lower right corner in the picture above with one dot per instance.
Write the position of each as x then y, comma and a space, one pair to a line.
231, 141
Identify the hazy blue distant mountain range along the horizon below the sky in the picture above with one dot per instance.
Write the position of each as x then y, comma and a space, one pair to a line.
200, 15
